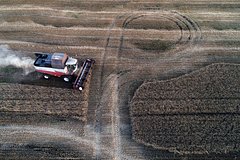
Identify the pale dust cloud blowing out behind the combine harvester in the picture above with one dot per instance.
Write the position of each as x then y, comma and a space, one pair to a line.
9, 57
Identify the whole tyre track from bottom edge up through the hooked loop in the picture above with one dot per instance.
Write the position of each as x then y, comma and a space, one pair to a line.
110, 80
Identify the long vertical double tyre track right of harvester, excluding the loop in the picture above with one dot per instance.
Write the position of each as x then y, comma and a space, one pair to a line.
109, 88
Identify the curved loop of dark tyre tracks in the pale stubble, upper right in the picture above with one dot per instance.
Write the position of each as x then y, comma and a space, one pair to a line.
190, 31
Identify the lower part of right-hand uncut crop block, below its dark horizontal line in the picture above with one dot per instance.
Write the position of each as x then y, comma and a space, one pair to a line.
189, 134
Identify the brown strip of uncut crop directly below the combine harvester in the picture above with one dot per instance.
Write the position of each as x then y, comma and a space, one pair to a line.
36, 99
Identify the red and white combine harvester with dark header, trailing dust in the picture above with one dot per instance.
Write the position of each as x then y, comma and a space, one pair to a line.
61, 65
